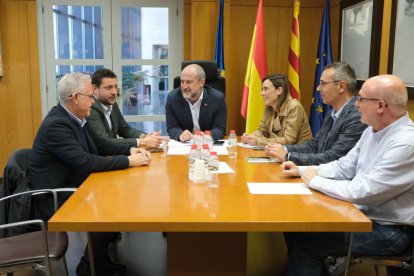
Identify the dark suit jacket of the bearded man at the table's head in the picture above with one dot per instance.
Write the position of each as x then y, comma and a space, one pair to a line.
213, 113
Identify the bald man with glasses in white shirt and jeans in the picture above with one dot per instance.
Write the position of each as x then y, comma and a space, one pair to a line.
376, 175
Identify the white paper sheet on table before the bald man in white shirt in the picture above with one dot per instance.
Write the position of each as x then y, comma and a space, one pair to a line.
261, 188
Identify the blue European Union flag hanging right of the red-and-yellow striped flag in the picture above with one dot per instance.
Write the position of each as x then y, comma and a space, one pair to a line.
318, 108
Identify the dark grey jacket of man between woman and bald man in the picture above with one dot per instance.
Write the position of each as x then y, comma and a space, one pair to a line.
329, 145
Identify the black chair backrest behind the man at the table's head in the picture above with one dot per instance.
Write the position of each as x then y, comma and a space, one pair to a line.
211, 69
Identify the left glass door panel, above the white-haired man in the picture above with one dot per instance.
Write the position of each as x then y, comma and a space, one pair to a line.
77, 38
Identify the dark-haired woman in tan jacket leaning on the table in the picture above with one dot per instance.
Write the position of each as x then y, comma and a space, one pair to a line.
284, 119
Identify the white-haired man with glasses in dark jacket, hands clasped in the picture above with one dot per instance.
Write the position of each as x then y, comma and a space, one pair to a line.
66, 150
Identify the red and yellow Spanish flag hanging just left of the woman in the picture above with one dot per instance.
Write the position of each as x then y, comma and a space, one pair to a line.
252, 101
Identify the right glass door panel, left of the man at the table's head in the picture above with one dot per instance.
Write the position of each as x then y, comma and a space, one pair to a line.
147, 53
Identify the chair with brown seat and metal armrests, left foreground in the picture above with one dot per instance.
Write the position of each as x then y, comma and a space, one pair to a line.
33, 250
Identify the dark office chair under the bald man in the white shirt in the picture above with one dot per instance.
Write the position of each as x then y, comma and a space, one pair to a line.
403, 260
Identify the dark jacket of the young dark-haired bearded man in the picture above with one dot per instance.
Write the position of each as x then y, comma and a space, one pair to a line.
120, 127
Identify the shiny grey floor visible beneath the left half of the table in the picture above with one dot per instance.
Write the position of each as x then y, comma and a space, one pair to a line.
143, 254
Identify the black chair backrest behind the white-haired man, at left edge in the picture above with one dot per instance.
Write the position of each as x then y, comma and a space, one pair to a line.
15, 180
